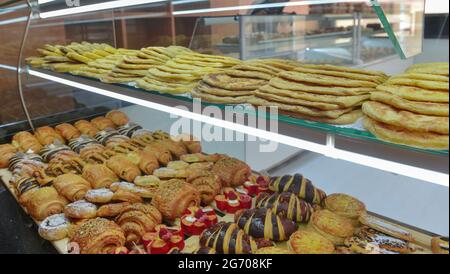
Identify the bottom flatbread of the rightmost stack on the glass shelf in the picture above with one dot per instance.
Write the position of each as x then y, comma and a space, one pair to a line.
402, 136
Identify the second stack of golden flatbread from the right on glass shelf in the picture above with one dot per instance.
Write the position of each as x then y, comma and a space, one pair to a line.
323, 93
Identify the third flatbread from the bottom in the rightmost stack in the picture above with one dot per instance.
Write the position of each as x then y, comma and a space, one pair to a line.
437, 109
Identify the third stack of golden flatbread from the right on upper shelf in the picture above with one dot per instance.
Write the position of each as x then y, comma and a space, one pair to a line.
238, 84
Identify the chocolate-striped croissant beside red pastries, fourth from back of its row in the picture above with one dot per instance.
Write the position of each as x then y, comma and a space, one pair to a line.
227, 238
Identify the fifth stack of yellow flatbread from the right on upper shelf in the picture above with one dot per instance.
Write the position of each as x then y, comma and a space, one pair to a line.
135, 66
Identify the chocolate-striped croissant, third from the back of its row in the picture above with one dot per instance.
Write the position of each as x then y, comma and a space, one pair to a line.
263, 223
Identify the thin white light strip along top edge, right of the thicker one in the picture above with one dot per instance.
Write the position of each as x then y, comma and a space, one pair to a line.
262, 6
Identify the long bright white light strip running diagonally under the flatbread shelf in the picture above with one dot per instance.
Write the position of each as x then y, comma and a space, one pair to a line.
330, 151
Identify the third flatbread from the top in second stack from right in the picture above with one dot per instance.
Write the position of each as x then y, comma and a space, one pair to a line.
338, 91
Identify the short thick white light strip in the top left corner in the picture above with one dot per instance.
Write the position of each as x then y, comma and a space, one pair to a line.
97, 7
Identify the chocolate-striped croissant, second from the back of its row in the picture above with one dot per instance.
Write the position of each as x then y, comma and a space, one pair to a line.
286, 205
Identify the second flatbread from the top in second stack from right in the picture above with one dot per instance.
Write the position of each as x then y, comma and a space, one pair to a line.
325, 80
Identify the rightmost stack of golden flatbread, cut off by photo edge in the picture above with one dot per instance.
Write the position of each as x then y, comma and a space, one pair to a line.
412, 108
